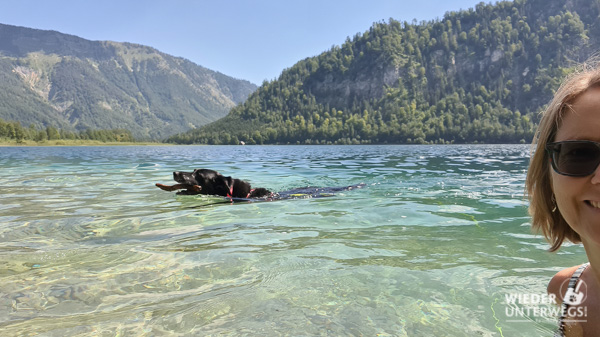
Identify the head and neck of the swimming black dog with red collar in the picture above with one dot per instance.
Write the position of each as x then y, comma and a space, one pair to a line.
213, 183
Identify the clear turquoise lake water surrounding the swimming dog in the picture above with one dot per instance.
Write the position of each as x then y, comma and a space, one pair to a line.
438, 243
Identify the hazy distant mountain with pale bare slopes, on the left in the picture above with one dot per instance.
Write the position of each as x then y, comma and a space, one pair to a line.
53, 79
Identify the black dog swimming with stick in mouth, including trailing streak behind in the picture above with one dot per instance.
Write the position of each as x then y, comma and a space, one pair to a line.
204, 181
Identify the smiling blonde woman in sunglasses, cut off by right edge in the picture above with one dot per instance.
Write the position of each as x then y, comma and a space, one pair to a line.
563, 185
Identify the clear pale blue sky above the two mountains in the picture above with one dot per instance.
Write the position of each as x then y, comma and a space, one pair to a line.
254, 40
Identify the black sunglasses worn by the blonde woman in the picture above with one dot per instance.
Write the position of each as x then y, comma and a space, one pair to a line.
574, 158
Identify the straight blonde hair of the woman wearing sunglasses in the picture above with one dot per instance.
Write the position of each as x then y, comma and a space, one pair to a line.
542, 205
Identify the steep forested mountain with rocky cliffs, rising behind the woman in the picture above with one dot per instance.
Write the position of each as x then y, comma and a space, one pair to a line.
476, 75
